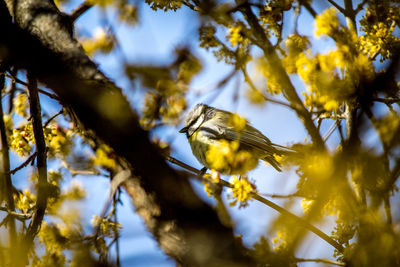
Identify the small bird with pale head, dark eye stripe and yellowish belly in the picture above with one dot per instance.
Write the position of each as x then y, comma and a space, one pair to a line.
205, 127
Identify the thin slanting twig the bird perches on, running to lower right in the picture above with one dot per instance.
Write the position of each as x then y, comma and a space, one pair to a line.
199, 175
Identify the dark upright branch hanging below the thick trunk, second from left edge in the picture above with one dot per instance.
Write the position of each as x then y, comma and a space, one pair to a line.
42, 192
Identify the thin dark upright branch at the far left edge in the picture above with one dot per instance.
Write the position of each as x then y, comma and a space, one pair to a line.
5, 169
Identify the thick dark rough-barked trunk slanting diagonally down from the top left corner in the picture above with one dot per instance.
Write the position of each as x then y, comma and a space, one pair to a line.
37, 37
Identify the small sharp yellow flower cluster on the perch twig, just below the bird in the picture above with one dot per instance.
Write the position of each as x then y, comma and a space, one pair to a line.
242, 191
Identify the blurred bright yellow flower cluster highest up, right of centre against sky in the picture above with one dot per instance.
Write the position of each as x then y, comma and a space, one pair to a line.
327, 23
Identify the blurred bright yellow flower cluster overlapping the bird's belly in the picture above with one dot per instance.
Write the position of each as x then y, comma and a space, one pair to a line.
225, 157
